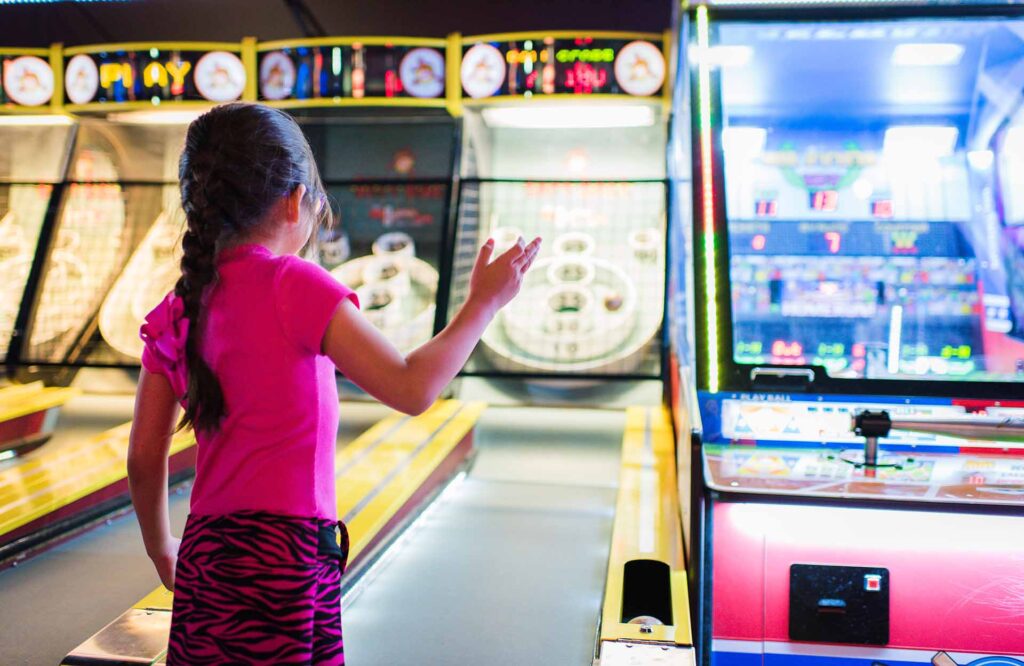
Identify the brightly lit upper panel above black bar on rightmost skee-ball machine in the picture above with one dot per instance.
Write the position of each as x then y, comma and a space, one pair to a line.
546, 142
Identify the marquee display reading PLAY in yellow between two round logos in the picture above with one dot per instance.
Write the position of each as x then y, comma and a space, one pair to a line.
154, 75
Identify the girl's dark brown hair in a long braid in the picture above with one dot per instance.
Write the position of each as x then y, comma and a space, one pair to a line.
238, 161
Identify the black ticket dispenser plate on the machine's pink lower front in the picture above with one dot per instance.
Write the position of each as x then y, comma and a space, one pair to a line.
839, 604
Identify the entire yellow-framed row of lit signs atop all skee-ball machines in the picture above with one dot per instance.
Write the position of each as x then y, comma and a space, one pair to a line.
332, 70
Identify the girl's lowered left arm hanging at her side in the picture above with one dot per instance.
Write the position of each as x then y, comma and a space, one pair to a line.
149, 444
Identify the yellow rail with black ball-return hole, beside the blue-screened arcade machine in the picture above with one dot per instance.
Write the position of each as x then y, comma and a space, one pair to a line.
647, 529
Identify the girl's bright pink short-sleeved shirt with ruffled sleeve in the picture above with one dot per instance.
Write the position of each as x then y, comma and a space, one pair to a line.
265, 321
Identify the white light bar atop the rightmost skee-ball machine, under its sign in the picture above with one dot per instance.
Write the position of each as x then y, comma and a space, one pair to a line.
570, 116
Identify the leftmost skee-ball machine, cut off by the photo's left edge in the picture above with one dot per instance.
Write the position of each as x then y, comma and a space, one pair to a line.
37, 140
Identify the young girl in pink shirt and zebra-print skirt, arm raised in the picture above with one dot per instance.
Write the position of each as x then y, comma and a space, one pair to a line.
248, 344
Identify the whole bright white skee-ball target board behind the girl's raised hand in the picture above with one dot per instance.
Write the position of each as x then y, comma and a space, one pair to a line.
594, 189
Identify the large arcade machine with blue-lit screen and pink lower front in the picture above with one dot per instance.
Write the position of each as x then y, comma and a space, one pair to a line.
855, 252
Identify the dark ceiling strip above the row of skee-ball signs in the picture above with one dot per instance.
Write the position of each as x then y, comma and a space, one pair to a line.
77, 23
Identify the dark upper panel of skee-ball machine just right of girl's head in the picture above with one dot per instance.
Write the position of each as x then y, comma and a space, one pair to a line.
397, 148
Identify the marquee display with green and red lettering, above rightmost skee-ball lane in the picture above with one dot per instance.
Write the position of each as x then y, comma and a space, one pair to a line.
546, 66
